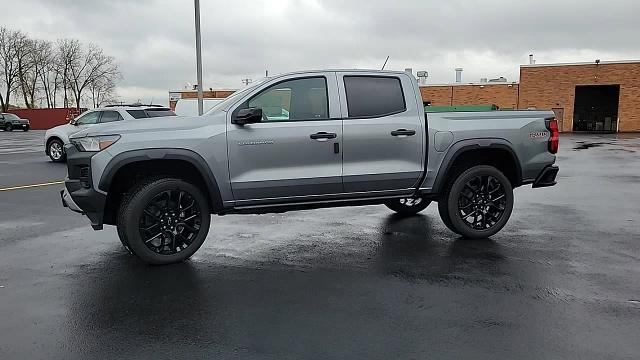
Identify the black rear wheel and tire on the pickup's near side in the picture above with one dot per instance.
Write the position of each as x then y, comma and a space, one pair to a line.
478, 203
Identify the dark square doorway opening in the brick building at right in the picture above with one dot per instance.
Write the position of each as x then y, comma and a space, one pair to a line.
596, 108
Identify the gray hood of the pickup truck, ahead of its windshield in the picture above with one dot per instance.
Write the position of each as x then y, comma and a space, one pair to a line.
160, 124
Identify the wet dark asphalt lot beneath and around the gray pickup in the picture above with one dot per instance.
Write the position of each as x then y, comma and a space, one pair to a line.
561, 281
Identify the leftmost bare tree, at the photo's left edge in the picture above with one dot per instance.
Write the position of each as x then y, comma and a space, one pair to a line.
8, 65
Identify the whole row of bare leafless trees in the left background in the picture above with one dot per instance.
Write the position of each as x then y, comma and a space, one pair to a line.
41, 73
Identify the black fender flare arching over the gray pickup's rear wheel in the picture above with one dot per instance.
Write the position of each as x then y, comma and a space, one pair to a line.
464, 146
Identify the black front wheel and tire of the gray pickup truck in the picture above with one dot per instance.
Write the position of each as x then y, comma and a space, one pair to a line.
165, 221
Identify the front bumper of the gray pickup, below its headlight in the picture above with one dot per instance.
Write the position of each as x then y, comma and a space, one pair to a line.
78, 194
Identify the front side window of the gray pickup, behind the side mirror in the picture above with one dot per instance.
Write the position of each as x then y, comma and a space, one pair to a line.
298, 99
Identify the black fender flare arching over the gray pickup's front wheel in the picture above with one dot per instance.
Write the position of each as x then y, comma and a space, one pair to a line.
143, 155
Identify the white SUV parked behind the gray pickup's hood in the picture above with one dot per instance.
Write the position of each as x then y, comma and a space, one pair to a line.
56, 138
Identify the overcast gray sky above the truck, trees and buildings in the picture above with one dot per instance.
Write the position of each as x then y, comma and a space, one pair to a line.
153, 40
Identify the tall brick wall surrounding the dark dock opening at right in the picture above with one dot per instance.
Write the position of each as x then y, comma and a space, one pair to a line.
547, 87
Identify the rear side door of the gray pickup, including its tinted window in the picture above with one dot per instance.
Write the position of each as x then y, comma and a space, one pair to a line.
383, 131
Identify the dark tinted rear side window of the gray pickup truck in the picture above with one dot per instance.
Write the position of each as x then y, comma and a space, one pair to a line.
369, 96
